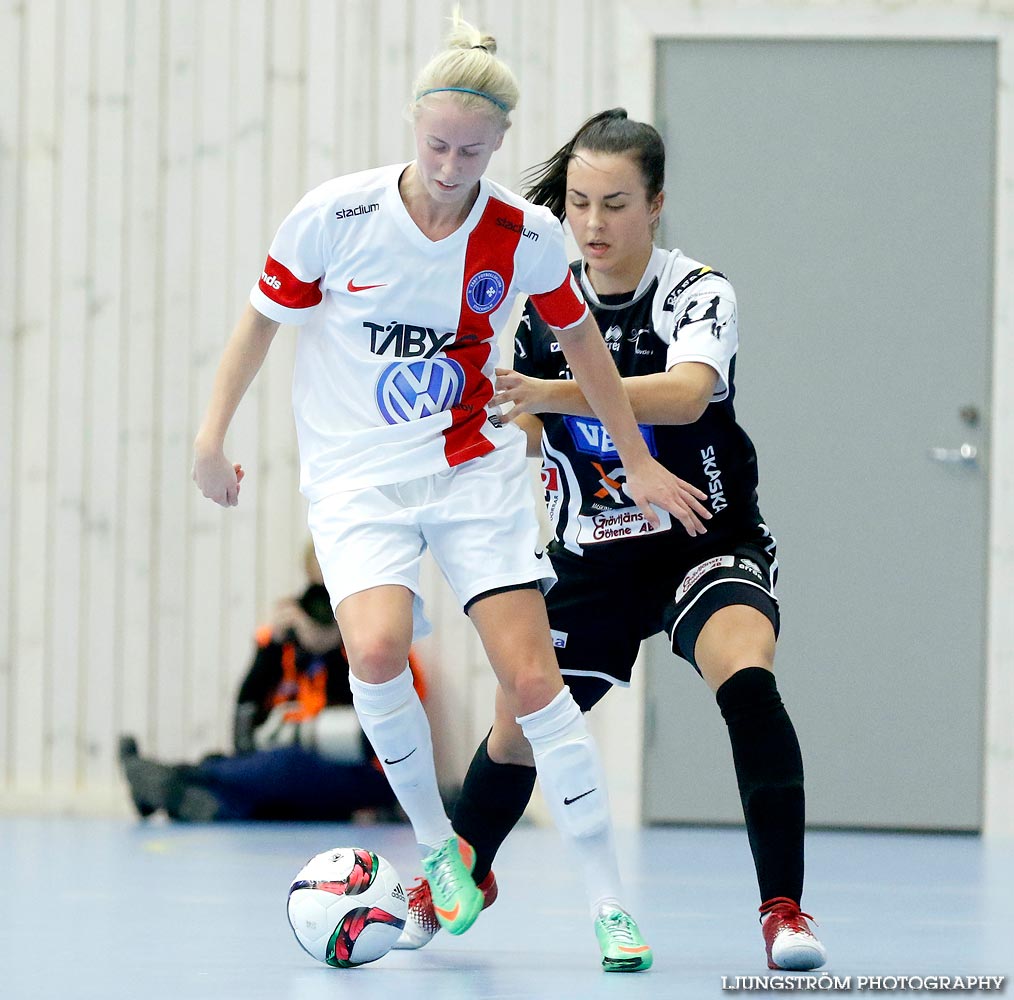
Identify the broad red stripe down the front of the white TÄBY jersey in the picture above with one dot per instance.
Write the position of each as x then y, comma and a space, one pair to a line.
491, 248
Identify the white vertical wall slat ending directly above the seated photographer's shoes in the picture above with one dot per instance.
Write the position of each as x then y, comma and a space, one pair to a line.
141, 269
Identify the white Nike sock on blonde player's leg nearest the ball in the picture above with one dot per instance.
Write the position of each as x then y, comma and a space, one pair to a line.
395, 723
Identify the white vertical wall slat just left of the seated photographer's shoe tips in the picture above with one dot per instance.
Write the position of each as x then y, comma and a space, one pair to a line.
103, 416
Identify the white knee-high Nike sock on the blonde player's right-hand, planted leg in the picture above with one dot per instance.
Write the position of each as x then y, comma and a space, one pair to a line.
574, 784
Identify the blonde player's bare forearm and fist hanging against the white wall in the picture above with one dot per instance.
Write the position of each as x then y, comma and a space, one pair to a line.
214, 475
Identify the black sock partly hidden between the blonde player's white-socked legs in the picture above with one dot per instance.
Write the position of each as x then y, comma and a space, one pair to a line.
493, 800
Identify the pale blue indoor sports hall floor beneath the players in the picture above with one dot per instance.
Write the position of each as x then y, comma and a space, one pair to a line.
104, 910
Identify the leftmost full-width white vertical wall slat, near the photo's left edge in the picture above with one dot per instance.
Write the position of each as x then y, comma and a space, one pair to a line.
33, 362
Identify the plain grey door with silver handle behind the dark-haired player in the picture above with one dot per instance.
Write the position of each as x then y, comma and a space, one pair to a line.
846, 189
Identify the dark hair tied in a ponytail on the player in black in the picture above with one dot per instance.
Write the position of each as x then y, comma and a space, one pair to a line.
607, 132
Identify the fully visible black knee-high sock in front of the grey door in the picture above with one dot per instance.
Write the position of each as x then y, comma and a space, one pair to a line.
770, 774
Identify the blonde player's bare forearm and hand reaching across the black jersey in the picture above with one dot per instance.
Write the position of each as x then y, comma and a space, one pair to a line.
647, 482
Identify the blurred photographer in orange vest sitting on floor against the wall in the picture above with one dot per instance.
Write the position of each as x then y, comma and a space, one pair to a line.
299, 750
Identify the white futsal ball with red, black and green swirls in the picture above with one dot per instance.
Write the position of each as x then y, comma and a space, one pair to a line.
347, 907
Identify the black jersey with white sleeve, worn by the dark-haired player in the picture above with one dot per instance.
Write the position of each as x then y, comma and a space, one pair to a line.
682, 311
